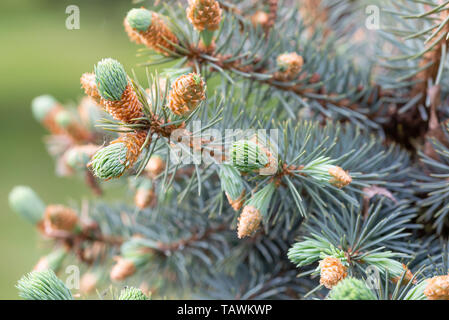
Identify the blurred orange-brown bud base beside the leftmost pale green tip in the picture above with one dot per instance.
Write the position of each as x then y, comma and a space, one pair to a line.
59, 217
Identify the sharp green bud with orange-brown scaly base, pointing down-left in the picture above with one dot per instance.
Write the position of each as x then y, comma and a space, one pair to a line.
121, 154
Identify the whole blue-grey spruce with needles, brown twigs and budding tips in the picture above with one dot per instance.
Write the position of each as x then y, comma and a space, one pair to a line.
327, 189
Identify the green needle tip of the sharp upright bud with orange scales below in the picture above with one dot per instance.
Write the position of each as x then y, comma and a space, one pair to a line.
111, 79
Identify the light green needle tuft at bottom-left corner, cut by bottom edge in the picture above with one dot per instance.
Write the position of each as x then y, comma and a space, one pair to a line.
43, 285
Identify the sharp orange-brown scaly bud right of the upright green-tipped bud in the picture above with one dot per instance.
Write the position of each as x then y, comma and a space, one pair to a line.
186, 93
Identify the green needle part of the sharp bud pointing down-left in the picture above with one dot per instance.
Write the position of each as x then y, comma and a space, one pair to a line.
110, 162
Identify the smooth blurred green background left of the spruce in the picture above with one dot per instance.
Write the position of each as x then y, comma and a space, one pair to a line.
39, 55
